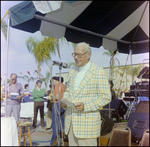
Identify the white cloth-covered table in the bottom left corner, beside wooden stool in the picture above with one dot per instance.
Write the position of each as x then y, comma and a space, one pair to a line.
9, 132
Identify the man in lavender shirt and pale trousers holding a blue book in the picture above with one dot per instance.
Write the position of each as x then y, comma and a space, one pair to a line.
13, 105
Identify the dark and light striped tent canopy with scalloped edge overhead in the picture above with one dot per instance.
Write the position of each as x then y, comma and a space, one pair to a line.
115, 25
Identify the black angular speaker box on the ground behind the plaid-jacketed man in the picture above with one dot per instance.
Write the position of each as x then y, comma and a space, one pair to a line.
119, 105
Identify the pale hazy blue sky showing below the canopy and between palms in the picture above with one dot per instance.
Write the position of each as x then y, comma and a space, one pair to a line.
20, 60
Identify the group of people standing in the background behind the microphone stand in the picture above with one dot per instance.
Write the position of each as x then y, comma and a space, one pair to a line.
14, 105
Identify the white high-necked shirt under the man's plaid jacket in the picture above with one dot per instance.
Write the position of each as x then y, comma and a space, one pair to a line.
81, 72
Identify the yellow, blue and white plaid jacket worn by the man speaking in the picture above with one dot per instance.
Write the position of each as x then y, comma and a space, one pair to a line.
94, 91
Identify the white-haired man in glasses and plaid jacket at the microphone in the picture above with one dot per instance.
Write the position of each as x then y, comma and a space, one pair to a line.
88, 88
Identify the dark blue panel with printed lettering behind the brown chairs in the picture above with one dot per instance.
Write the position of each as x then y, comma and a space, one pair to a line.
138, 123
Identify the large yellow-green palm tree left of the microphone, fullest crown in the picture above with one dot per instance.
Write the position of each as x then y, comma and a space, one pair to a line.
42, 50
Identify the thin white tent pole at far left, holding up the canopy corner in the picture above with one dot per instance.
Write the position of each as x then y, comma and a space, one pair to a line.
7, 65
